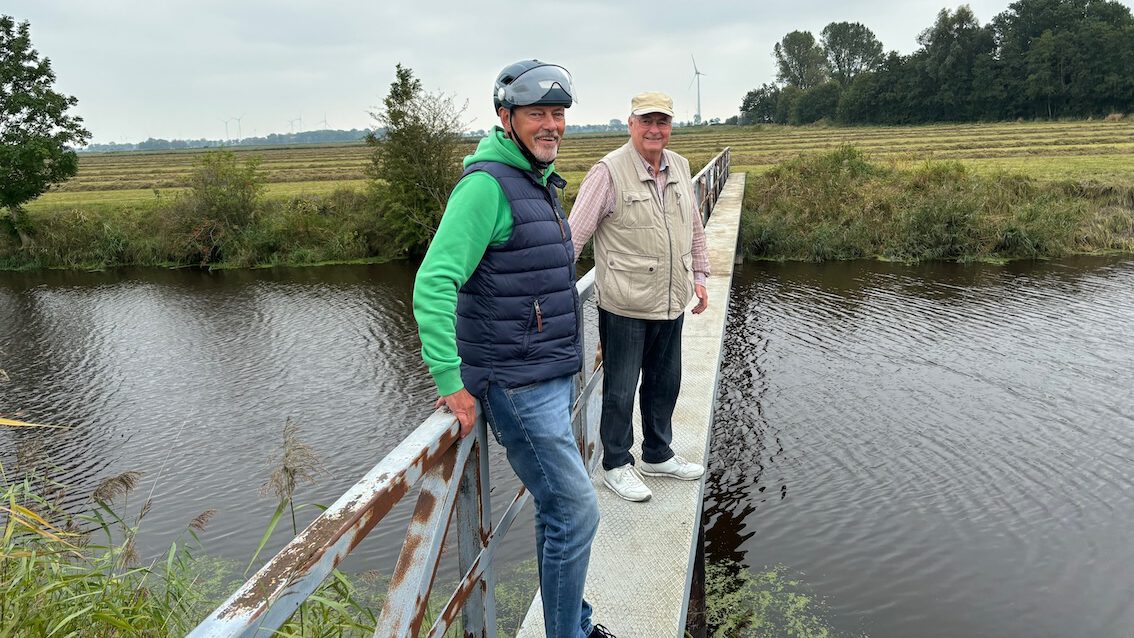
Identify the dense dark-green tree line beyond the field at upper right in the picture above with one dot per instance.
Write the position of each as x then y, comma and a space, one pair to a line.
1039, 59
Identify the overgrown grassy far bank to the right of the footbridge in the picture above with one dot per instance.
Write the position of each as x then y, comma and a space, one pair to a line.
839, 206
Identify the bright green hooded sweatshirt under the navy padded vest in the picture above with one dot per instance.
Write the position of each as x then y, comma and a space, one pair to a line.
477, 217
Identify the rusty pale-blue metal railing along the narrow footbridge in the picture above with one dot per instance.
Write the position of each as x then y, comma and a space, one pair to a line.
454, 479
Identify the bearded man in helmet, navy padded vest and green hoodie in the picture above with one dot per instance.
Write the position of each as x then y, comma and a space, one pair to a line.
496, 308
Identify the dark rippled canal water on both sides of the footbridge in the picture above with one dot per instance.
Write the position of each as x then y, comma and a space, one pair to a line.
935, 452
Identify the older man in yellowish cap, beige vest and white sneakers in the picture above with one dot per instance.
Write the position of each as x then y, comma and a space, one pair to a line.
651, 261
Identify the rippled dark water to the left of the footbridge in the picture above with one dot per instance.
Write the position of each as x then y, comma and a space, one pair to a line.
191, 377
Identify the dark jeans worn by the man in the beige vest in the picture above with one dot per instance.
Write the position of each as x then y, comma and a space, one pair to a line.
653, 348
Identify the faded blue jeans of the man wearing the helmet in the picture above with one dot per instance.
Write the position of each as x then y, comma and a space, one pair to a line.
534, 424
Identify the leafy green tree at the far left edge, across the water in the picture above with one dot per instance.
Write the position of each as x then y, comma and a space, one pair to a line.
37, 134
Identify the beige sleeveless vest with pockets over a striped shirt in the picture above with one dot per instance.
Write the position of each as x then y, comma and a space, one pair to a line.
644, 252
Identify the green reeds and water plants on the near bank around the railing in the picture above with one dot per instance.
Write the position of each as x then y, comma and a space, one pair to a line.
70, 567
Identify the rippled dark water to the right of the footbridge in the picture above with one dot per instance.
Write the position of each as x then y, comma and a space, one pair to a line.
936, 452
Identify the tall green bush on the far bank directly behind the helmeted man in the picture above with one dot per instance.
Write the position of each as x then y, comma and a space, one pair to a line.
414, 165
